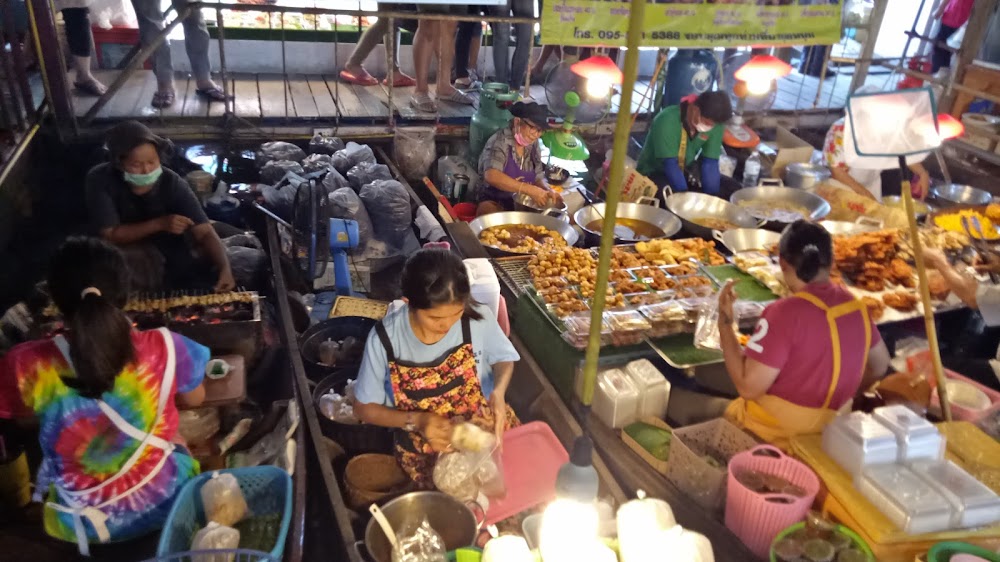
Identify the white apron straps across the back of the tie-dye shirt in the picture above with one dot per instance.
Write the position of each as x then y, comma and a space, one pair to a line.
94, 514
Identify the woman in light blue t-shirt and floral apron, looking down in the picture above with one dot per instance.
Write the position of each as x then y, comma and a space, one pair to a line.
438, 359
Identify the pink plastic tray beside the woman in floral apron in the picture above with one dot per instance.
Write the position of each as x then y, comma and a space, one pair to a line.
531, 459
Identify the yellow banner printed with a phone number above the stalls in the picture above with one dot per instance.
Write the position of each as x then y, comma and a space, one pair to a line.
686, 24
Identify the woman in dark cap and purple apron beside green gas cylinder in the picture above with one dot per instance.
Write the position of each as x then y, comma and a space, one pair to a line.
511, 162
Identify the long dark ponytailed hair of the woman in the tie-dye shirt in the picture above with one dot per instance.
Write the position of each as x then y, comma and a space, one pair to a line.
89, 283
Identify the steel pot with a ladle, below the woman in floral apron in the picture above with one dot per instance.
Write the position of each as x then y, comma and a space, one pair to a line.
452, 519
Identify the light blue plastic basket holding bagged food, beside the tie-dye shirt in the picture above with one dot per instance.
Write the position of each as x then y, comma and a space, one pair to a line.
267, 489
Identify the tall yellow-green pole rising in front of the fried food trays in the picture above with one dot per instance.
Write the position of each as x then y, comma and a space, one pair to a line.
617, 172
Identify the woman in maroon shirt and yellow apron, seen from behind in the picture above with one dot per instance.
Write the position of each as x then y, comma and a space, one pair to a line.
810, 353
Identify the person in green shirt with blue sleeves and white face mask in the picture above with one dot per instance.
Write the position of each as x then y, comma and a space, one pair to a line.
682, 134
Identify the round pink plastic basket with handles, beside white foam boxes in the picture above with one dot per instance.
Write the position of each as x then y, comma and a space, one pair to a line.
757, 518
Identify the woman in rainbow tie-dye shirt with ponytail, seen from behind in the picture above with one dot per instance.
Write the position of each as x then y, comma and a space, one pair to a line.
105, 397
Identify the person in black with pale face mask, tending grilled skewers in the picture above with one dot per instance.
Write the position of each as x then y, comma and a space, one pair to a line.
149, 210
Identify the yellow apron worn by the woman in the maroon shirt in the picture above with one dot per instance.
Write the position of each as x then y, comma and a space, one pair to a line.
777, 420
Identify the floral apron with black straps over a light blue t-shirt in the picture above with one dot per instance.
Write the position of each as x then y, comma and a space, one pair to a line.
448, 387
